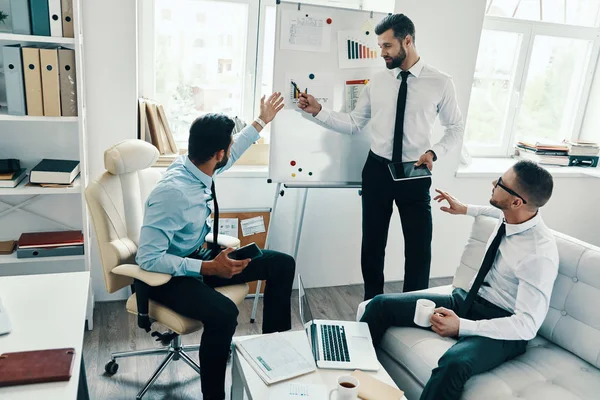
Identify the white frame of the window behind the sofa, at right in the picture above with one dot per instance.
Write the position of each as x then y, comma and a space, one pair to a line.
529, 30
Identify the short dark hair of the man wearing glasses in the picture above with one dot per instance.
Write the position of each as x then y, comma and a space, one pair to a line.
534, 182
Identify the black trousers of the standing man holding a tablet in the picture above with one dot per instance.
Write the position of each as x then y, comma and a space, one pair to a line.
379, 192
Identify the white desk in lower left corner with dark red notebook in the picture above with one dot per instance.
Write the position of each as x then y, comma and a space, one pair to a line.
46, 312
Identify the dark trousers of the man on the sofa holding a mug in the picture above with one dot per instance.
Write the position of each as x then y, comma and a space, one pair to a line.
469, 356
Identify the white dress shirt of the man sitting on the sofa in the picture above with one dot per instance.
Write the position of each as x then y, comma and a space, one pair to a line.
520, 280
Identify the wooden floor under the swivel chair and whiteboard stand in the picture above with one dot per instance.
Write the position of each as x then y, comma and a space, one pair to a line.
116, 330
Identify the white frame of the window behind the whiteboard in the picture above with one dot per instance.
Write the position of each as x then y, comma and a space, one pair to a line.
147, 54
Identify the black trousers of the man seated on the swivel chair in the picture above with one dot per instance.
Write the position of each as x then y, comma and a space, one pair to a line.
196, 298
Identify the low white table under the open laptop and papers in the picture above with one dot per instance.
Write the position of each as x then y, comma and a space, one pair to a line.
244, 379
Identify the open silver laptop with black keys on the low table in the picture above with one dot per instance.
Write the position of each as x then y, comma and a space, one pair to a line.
337, 344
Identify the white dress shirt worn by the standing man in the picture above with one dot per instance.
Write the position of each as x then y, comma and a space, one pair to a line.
430, 92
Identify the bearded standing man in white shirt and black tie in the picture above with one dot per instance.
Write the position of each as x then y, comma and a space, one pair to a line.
402, 105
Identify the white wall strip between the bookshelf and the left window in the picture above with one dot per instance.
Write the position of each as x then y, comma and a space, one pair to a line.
110, 60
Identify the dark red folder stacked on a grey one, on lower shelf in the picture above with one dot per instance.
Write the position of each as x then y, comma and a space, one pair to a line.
50, 244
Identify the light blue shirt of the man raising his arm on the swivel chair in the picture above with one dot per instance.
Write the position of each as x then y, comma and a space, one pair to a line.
176, 213
